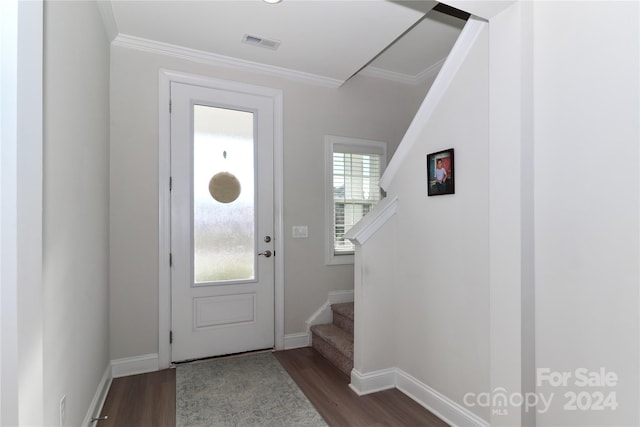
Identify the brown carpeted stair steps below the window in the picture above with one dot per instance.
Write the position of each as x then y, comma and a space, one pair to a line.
335, 340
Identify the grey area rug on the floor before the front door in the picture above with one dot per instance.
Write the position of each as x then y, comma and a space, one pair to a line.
251, 390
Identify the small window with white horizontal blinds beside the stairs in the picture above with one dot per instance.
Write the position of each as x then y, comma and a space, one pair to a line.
355, 168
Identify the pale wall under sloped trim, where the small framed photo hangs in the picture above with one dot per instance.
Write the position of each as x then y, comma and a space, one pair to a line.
442, 265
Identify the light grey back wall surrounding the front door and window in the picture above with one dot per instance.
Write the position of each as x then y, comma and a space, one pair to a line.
364, 108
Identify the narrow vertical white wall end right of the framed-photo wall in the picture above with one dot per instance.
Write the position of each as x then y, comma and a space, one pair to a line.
510, 224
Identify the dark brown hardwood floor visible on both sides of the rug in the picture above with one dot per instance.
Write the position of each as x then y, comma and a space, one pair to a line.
149, 399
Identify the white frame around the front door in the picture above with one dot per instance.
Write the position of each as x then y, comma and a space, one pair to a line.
164, 199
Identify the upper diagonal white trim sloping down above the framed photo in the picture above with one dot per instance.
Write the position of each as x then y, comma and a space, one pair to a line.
452, 64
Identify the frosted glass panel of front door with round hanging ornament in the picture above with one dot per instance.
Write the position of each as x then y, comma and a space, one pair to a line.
223, 195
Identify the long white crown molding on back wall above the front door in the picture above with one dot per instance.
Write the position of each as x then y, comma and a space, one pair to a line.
175, 51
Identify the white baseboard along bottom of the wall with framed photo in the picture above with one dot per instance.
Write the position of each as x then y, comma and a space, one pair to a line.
445, 408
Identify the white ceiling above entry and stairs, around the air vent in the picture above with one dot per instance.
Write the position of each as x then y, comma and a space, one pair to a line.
328, 40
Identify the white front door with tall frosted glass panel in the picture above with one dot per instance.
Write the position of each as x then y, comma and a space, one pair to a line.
222, 252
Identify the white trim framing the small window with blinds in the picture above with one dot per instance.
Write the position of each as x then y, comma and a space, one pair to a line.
330, 141
